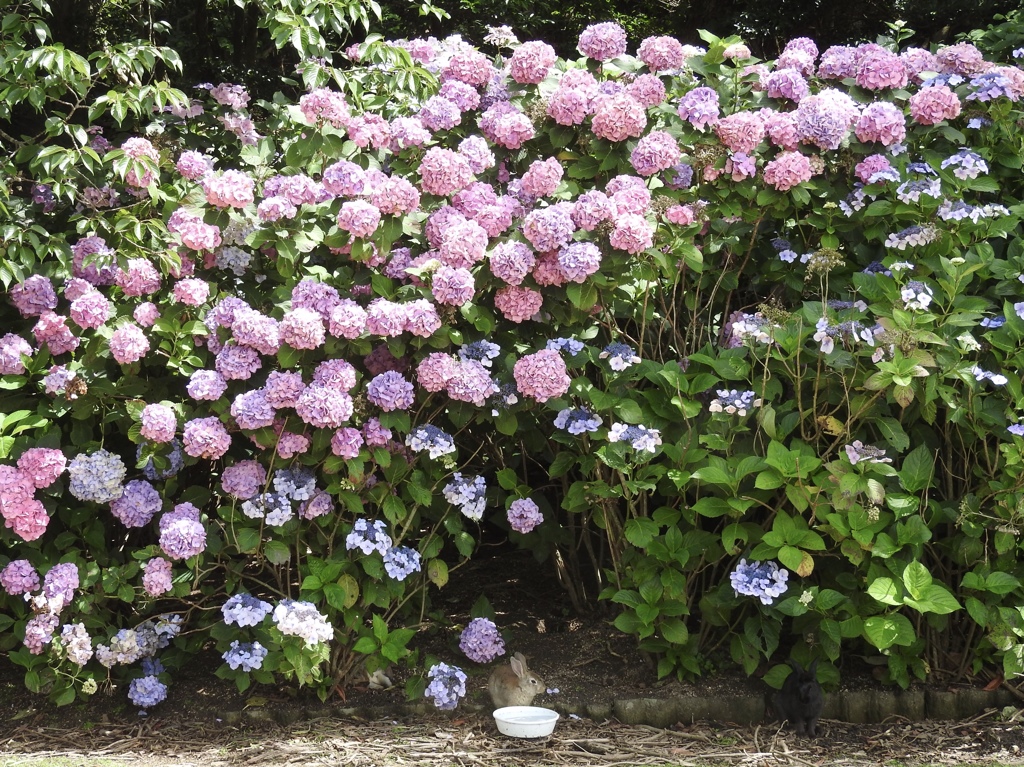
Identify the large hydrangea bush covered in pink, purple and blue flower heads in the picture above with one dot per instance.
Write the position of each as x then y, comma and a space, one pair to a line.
711, 328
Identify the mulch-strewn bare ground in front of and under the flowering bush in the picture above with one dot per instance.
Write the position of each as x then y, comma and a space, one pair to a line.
206, 722
